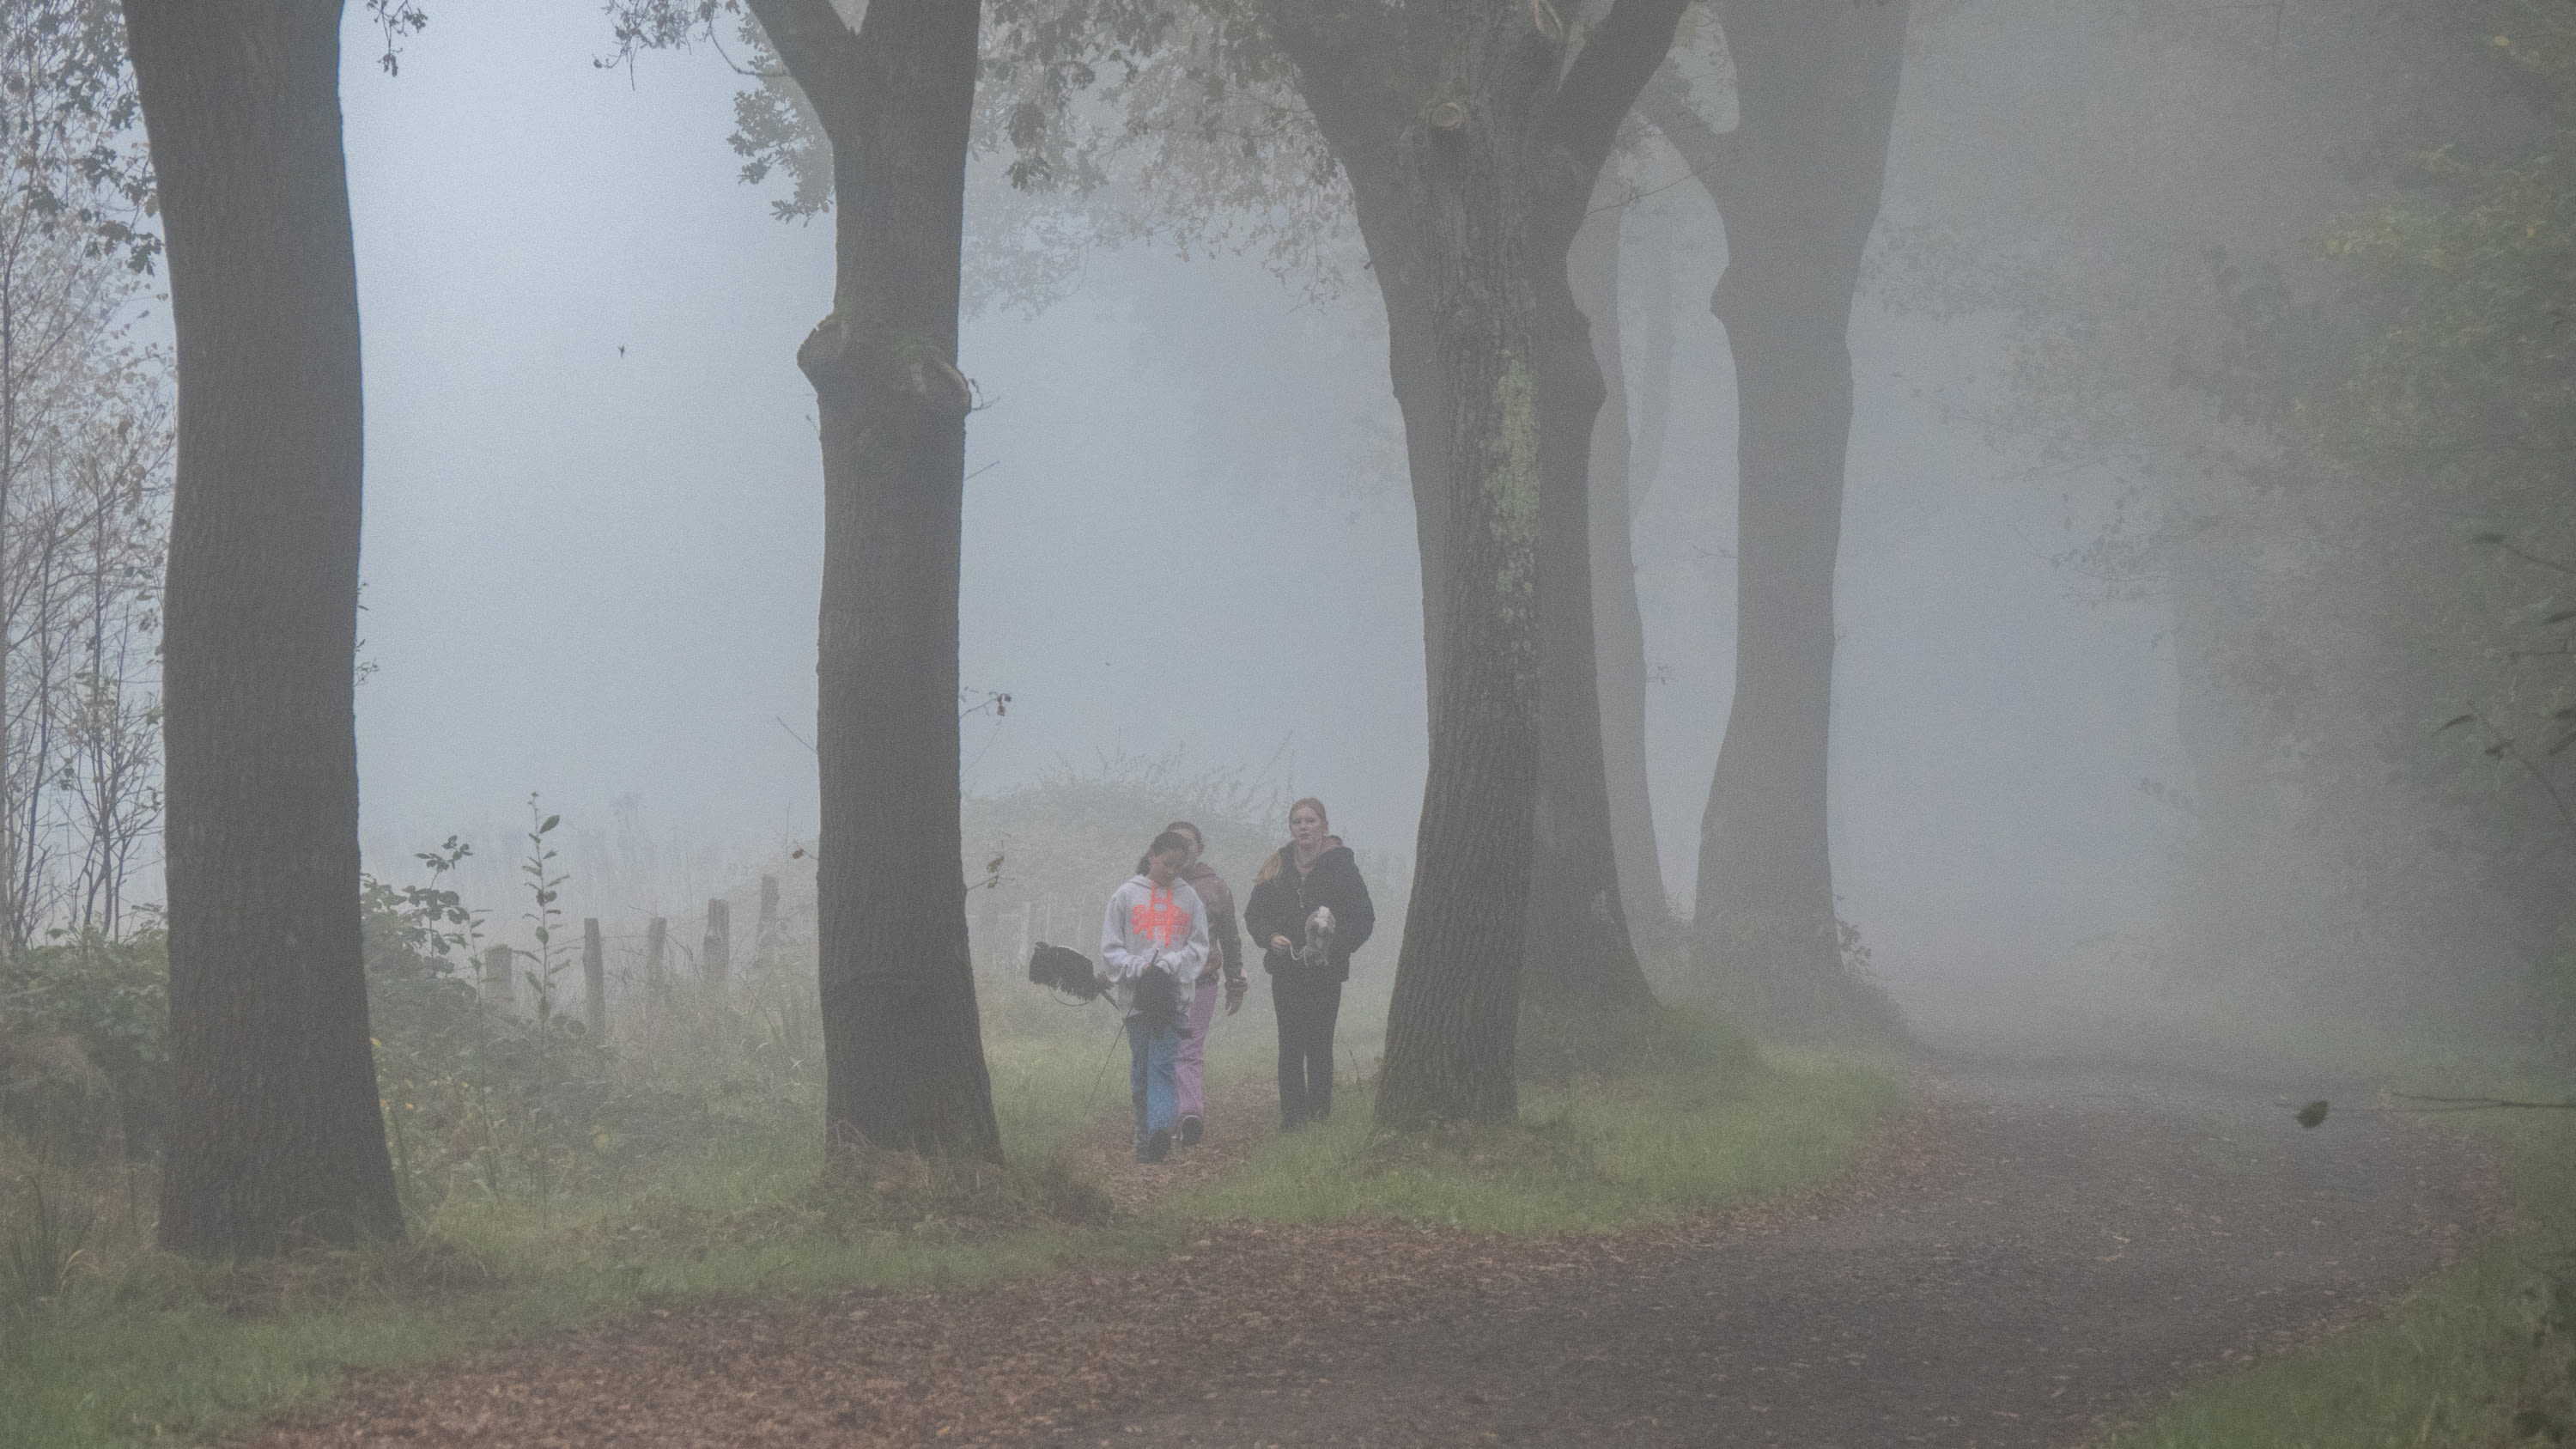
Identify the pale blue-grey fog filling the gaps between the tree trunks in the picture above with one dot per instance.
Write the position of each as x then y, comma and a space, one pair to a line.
594, 514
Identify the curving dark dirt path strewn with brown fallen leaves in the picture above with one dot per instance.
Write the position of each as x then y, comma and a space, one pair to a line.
2036, 1252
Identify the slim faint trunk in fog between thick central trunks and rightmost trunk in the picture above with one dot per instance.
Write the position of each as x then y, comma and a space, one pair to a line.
1619, 628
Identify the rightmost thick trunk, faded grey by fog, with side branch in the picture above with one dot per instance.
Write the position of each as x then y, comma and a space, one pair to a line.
1797, 184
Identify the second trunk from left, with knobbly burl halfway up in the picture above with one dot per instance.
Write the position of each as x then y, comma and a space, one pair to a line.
903, 1043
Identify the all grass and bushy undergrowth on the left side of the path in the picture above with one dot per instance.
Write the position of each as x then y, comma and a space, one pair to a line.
553, 1177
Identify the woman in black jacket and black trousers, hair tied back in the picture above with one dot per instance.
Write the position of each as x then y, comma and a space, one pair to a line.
1310, 911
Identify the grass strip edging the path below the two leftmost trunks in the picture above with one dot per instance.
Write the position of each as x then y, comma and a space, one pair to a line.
148, 1347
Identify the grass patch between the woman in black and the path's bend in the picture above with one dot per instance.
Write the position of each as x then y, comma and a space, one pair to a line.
1707, 1120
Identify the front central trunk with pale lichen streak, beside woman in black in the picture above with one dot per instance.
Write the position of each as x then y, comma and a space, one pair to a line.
1464, 187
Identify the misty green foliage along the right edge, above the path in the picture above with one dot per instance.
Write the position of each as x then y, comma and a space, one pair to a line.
2400, 618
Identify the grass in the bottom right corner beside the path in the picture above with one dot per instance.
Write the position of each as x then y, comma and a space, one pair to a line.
2477, 1357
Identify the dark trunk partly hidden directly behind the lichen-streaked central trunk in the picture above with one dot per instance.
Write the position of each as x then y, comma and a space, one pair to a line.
1586, 997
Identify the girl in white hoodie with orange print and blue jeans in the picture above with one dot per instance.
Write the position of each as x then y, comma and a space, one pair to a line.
1155, 924
